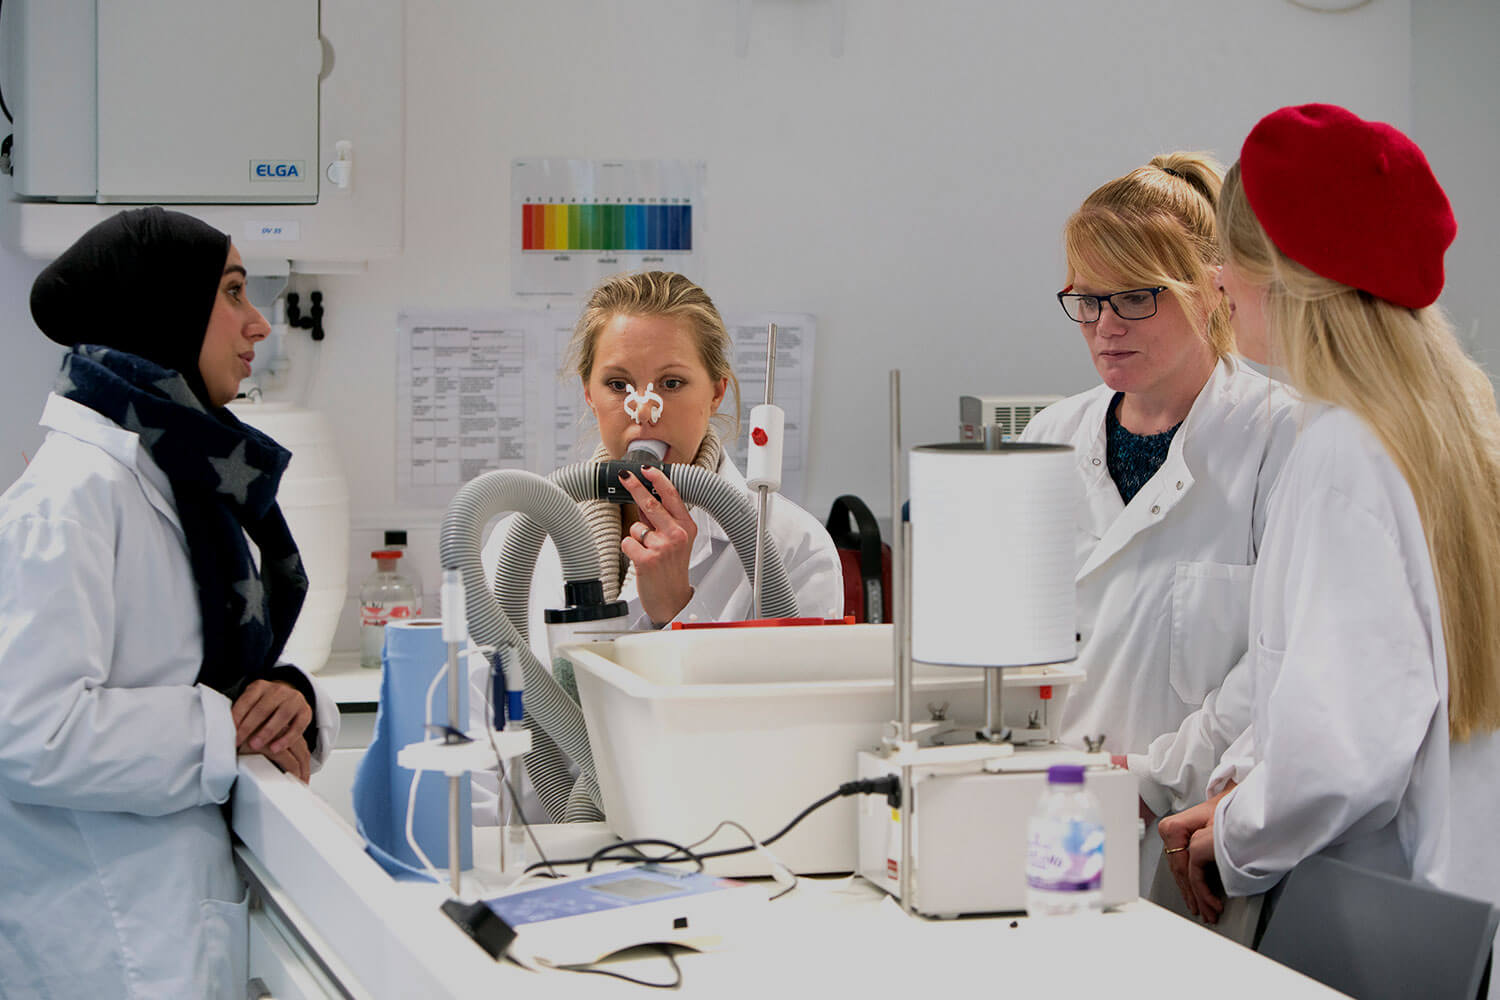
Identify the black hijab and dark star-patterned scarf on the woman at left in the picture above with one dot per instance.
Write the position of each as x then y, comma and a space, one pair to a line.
133, 299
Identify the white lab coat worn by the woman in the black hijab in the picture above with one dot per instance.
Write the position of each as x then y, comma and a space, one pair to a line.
113, 762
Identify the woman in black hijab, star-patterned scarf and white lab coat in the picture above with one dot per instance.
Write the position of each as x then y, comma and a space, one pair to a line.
139, 638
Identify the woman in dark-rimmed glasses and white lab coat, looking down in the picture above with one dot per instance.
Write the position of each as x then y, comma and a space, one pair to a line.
1178, 451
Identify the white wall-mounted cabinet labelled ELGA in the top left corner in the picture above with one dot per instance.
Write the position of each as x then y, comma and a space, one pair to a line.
179, 101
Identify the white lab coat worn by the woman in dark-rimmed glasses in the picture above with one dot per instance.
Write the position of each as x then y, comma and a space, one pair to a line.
1163, 584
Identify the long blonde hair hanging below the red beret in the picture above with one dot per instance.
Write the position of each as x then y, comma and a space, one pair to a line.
1405, 374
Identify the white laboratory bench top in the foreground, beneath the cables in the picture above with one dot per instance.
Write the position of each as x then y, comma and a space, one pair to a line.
389, 939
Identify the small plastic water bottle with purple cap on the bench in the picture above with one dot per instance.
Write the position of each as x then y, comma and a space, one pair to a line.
1064, 848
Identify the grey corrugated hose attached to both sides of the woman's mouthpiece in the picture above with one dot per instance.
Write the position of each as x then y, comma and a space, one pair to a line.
701, 488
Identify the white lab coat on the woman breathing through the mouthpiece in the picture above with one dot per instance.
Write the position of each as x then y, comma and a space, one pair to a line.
721, 593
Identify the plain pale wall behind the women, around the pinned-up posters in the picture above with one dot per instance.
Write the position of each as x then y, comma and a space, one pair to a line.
908, 193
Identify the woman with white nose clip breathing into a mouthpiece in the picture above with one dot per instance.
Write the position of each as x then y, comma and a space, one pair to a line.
653, 356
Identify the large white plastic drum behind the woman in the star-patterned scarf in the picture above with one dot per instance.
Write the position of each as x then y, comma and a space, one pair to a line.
314, 497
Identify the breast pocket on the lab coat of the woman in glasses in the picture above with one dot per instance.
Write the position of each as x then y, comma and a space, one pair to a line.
1210, 626
